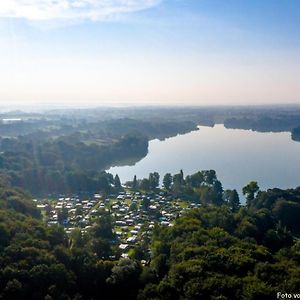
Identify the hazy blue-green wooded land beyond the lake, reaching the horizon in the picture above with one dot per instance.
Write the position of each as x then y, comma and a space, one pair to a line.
67, 151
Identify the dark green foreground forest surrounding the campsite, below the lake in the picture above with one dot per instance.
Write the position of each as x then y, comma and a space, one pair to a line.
222, 250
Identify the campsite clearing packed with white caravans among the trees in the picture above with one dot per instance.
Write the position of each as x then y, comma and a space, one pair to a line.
134, 214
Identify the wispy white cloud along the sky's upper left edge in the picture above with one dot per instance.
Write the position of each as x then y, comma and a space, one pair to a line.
45, 10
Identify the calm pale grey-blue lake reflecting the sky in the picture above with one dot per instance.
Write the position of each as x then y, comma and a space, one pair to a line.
238, 156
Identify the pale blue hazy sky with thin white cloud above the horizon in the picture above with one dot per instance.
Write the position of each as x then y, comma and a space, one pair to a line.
149, 51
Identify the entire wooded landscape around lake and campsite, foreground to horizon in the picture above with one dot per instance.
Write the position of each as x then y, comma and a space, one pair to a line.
220, 250
